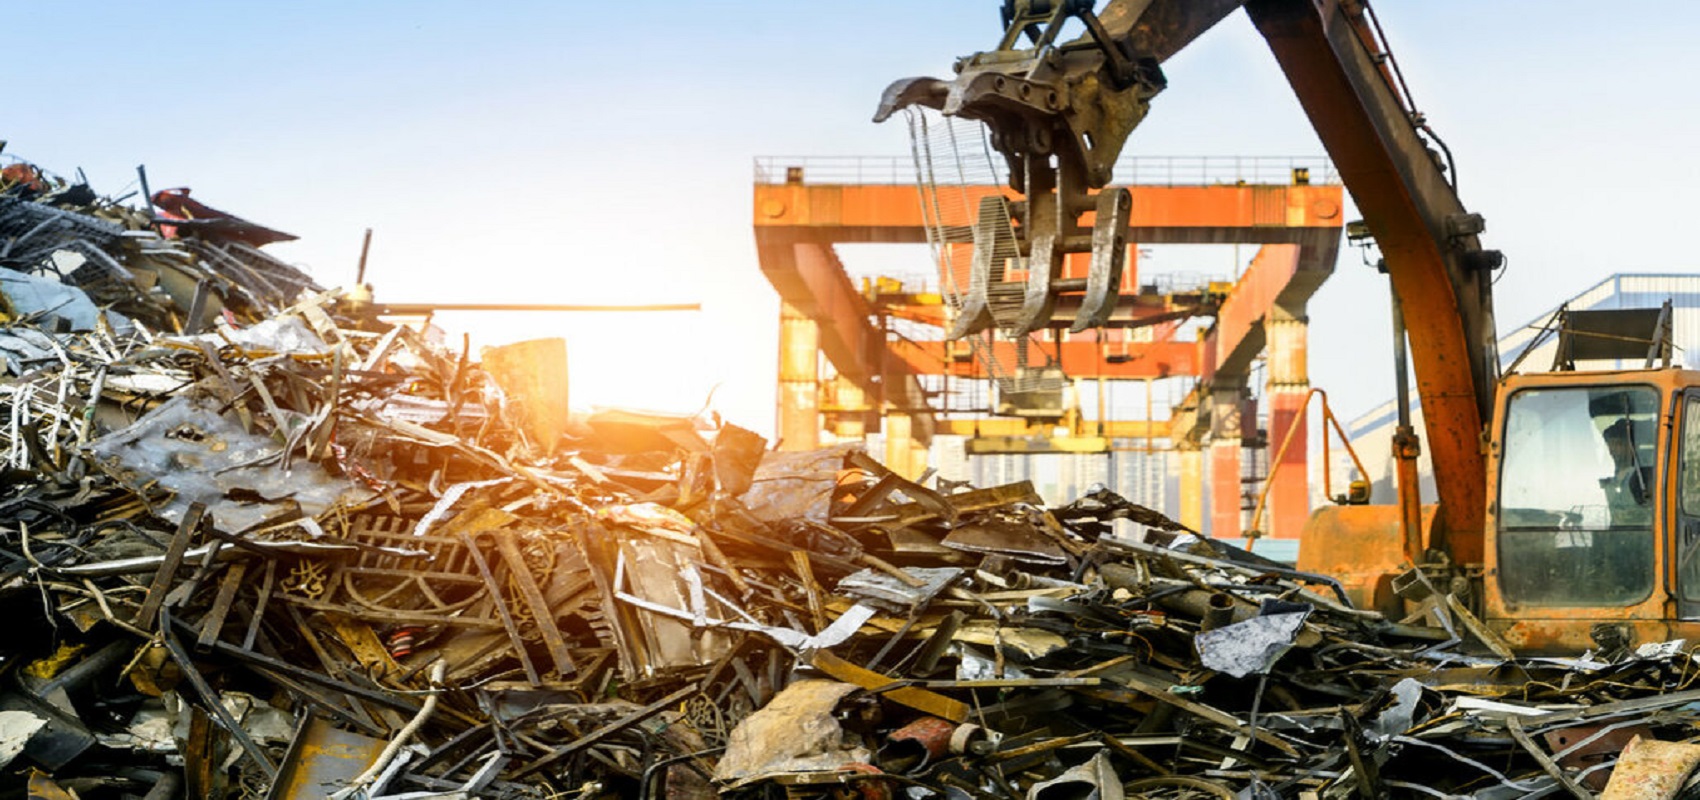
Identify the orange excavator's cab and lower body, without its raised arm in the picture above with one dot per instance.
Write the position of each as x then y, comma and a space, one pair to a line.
1592, 524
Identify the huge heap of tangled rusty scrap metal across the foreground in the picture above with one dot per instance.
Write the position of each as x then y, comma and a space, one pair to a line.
309, 555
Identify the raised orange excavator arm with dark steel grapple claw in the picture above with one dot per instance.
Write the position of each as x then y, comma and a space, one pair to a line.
1060, 115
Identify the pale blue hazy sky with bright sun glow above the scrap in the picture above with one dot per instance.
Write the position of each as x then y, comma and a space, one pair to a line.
572, 152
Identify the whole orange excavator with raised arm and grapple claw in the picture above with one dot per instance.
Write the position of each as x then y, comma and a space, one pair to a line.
1567, 509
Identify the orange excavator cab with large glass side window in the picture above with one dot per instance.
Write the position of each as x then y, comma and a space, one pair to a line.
1595, 509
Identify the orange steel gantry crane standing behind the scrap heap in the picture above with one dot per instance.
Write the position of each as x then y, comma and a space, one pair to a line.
807, 206
